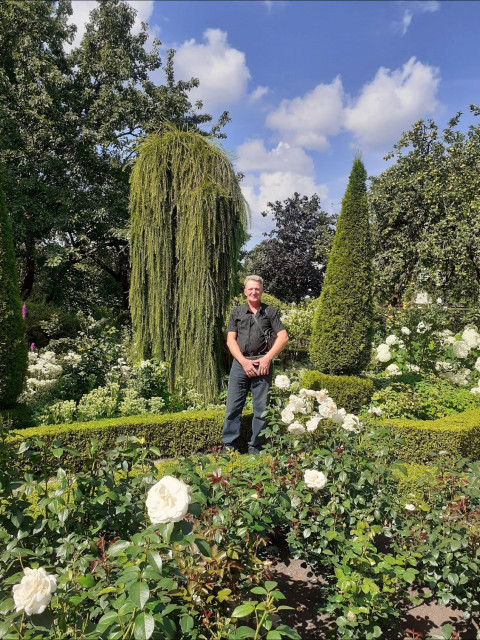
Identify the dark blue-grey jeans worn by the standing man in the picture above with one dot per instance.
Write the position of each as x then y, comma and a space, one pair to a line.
238, 387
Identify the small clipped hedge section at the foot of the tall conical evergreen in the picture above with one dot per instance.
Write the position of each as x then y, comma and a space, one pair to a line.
349, 392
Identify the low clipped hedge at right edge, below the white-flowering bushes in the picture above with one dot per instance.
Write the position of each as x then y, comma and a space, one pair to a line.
457, 434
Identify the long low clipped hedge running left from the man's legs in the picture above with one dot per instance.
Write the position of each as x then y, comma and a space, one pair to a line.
174, 434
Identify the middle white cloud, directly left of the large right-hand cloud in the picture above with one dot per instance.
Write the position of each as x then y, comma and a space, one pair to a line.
307, 121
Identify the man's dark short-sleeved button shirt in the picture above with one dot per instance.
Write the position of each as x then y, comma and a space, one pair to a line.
250, 336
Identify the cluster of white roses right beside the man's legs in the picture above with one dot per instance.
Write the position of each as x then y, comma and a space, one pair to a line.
317, 406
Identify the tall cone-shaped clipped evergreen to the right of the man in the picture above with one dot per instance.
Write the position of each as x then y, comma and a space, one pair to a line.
342, 325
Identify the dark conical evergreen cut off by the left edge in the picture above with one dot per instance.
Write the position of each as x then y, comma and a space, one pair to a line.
13, 346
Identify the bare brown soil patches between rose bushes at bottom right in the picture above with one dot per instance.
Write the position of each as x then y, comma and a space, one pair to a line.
301, 594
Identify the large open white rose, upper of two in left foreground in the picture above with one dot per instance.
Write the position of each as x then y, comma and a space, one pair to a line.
168, 500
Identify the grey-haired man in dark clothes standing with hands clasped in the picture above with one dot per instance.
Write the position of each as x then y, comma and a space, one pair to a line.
252, 368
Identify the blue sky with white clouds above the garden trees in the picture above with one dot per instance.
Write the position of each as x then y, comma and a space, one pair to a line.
309, 83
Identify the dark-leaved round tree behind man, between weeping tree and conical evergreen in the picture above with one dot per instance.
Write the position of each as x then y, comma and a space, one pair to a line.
292, 259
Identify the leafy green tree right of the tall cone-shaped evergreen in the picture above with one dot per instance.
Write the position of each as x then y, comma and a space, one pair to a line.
425, 210
